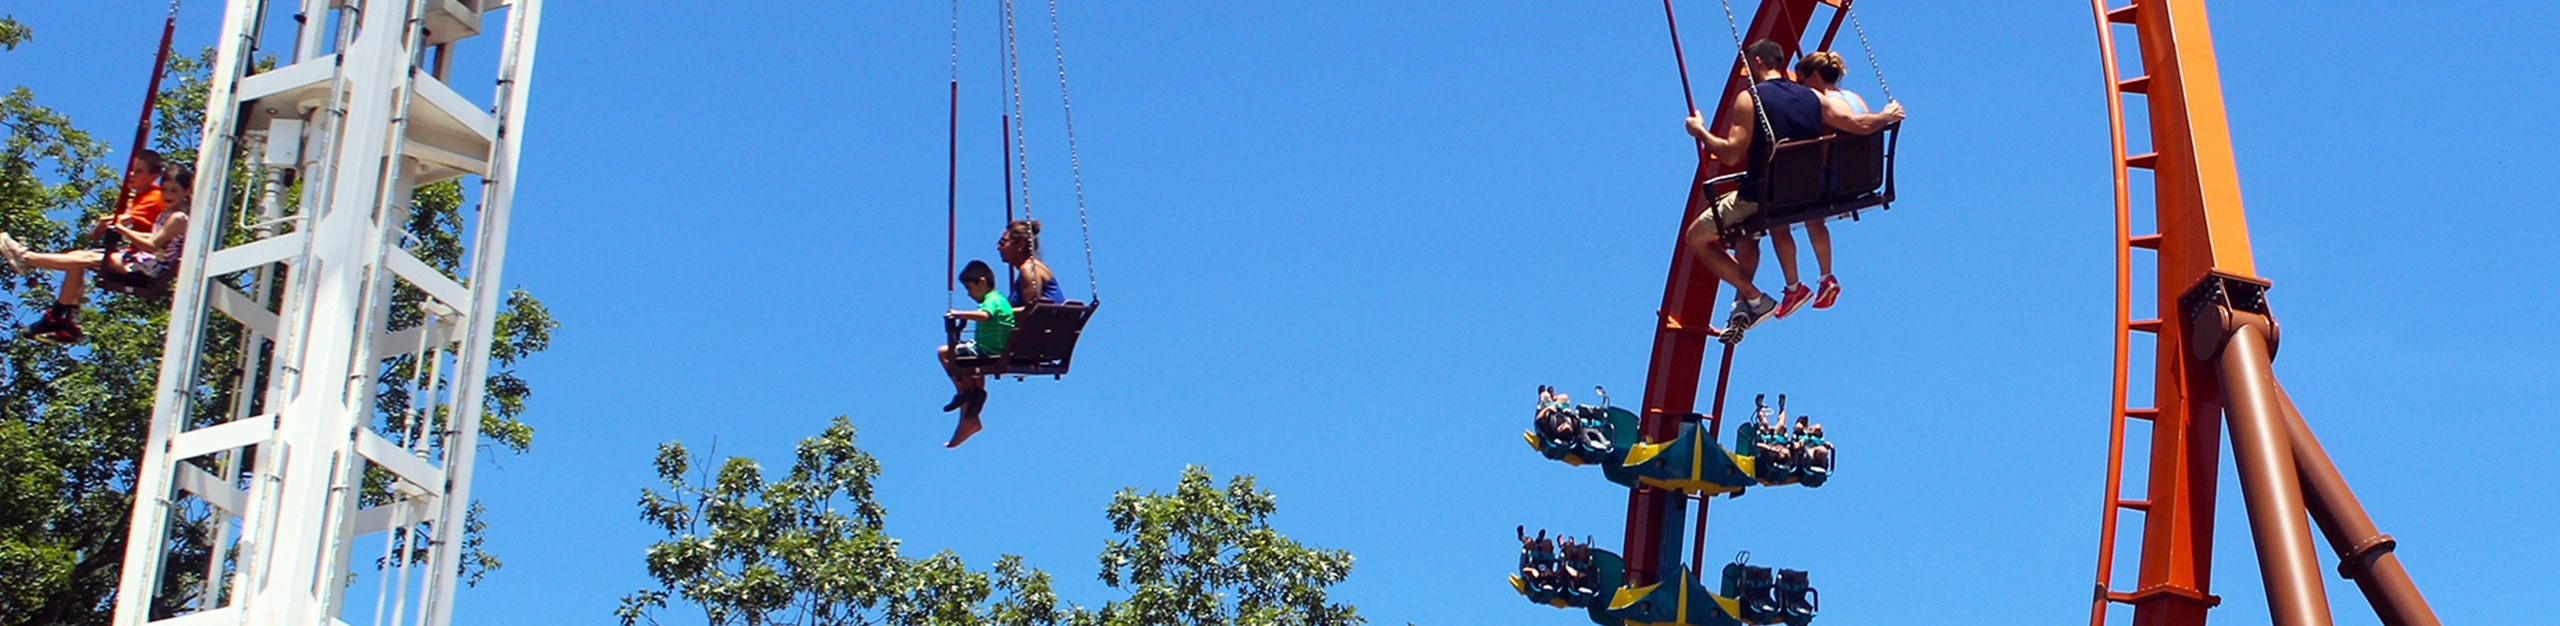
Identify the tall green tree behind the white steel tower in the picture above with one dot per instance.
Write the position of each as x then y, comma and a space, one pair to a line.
73, 418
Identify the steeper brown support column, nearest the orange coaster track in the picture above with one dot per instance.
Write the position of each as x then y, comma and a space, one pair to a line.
2262, 448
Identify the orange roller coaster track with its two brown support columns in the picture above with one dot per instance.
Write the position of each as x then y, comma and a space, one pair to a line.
2213, 351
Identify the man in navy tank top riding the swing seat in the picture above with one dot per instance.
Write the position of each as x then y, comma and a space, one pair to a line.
1773, 111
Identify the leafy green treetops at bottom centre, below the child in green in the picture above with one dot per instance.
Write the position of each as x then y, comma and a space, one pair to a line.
810, 548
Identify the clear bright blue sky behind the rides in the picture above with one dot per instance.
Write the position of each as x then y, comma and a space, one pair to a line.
1343, 241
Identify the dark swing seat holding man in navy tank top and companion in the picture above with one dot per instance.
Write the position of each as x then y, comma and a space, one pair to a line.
1821, 178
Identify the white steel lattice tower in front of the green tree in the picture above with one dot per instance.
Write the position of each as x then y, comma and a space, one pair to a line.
288, 477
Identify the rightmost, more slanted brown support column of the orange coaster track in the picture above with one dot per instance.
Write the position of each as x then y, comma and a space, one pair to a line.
2364, 553
